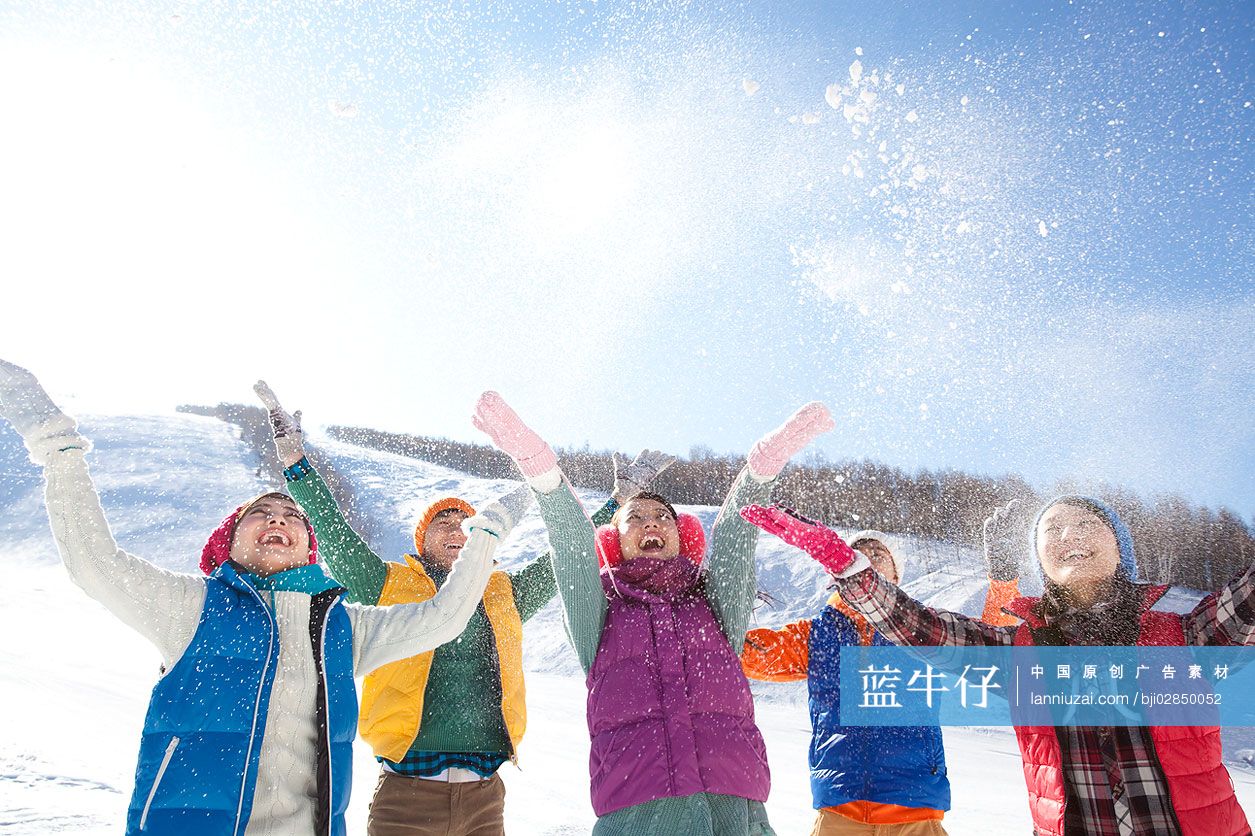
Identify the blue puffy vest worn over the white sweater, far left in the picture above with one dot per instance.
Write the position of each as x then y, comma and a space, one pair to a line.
208, 716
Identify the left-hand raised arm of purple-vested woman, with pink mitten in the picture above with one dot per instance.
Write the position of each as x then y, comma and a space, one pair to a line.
572, 533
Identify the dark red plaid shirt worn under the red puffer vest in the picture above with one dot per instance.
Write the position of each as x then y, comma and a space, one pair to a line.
1114, 781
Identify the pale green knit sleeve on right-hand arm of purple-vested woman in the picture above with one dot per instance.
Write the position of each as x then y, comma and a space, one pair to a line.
731, 572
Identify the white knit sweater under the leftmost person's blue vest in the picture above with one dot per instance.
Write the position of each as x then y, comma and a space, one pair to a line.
166, 607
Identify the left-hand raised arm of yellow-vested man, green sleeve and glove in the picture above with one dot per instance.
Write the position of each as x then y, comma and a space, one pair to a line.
347, 555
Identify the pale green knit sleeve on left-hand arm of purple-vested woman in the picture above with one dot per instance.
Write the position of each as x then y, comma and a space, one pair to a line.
575, 571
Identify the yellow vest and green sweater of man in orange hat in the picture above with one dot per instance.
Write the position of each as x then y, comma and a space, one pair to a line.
469, 695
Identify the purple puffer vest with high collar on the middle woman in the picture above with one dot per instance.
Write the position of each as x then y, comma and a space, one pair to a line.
670, 709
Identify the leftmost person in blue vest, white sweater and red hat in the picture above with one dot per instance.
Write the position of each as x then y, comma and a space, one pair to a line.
250, 727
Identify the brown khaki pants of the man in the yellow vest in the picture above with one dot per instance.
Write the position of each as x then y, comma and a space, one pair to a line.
406, 807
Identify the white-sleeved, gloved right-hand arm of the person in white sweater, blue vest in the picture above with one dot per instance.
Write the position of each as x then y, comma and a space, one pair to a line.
385, 635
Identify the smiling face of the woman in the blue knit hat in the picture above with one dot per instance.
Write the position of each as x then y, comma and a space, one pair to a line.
1077, 548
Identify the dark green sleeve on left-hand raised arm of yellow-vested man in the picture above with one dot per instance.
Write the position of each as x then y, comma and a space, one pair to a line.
347, 557
